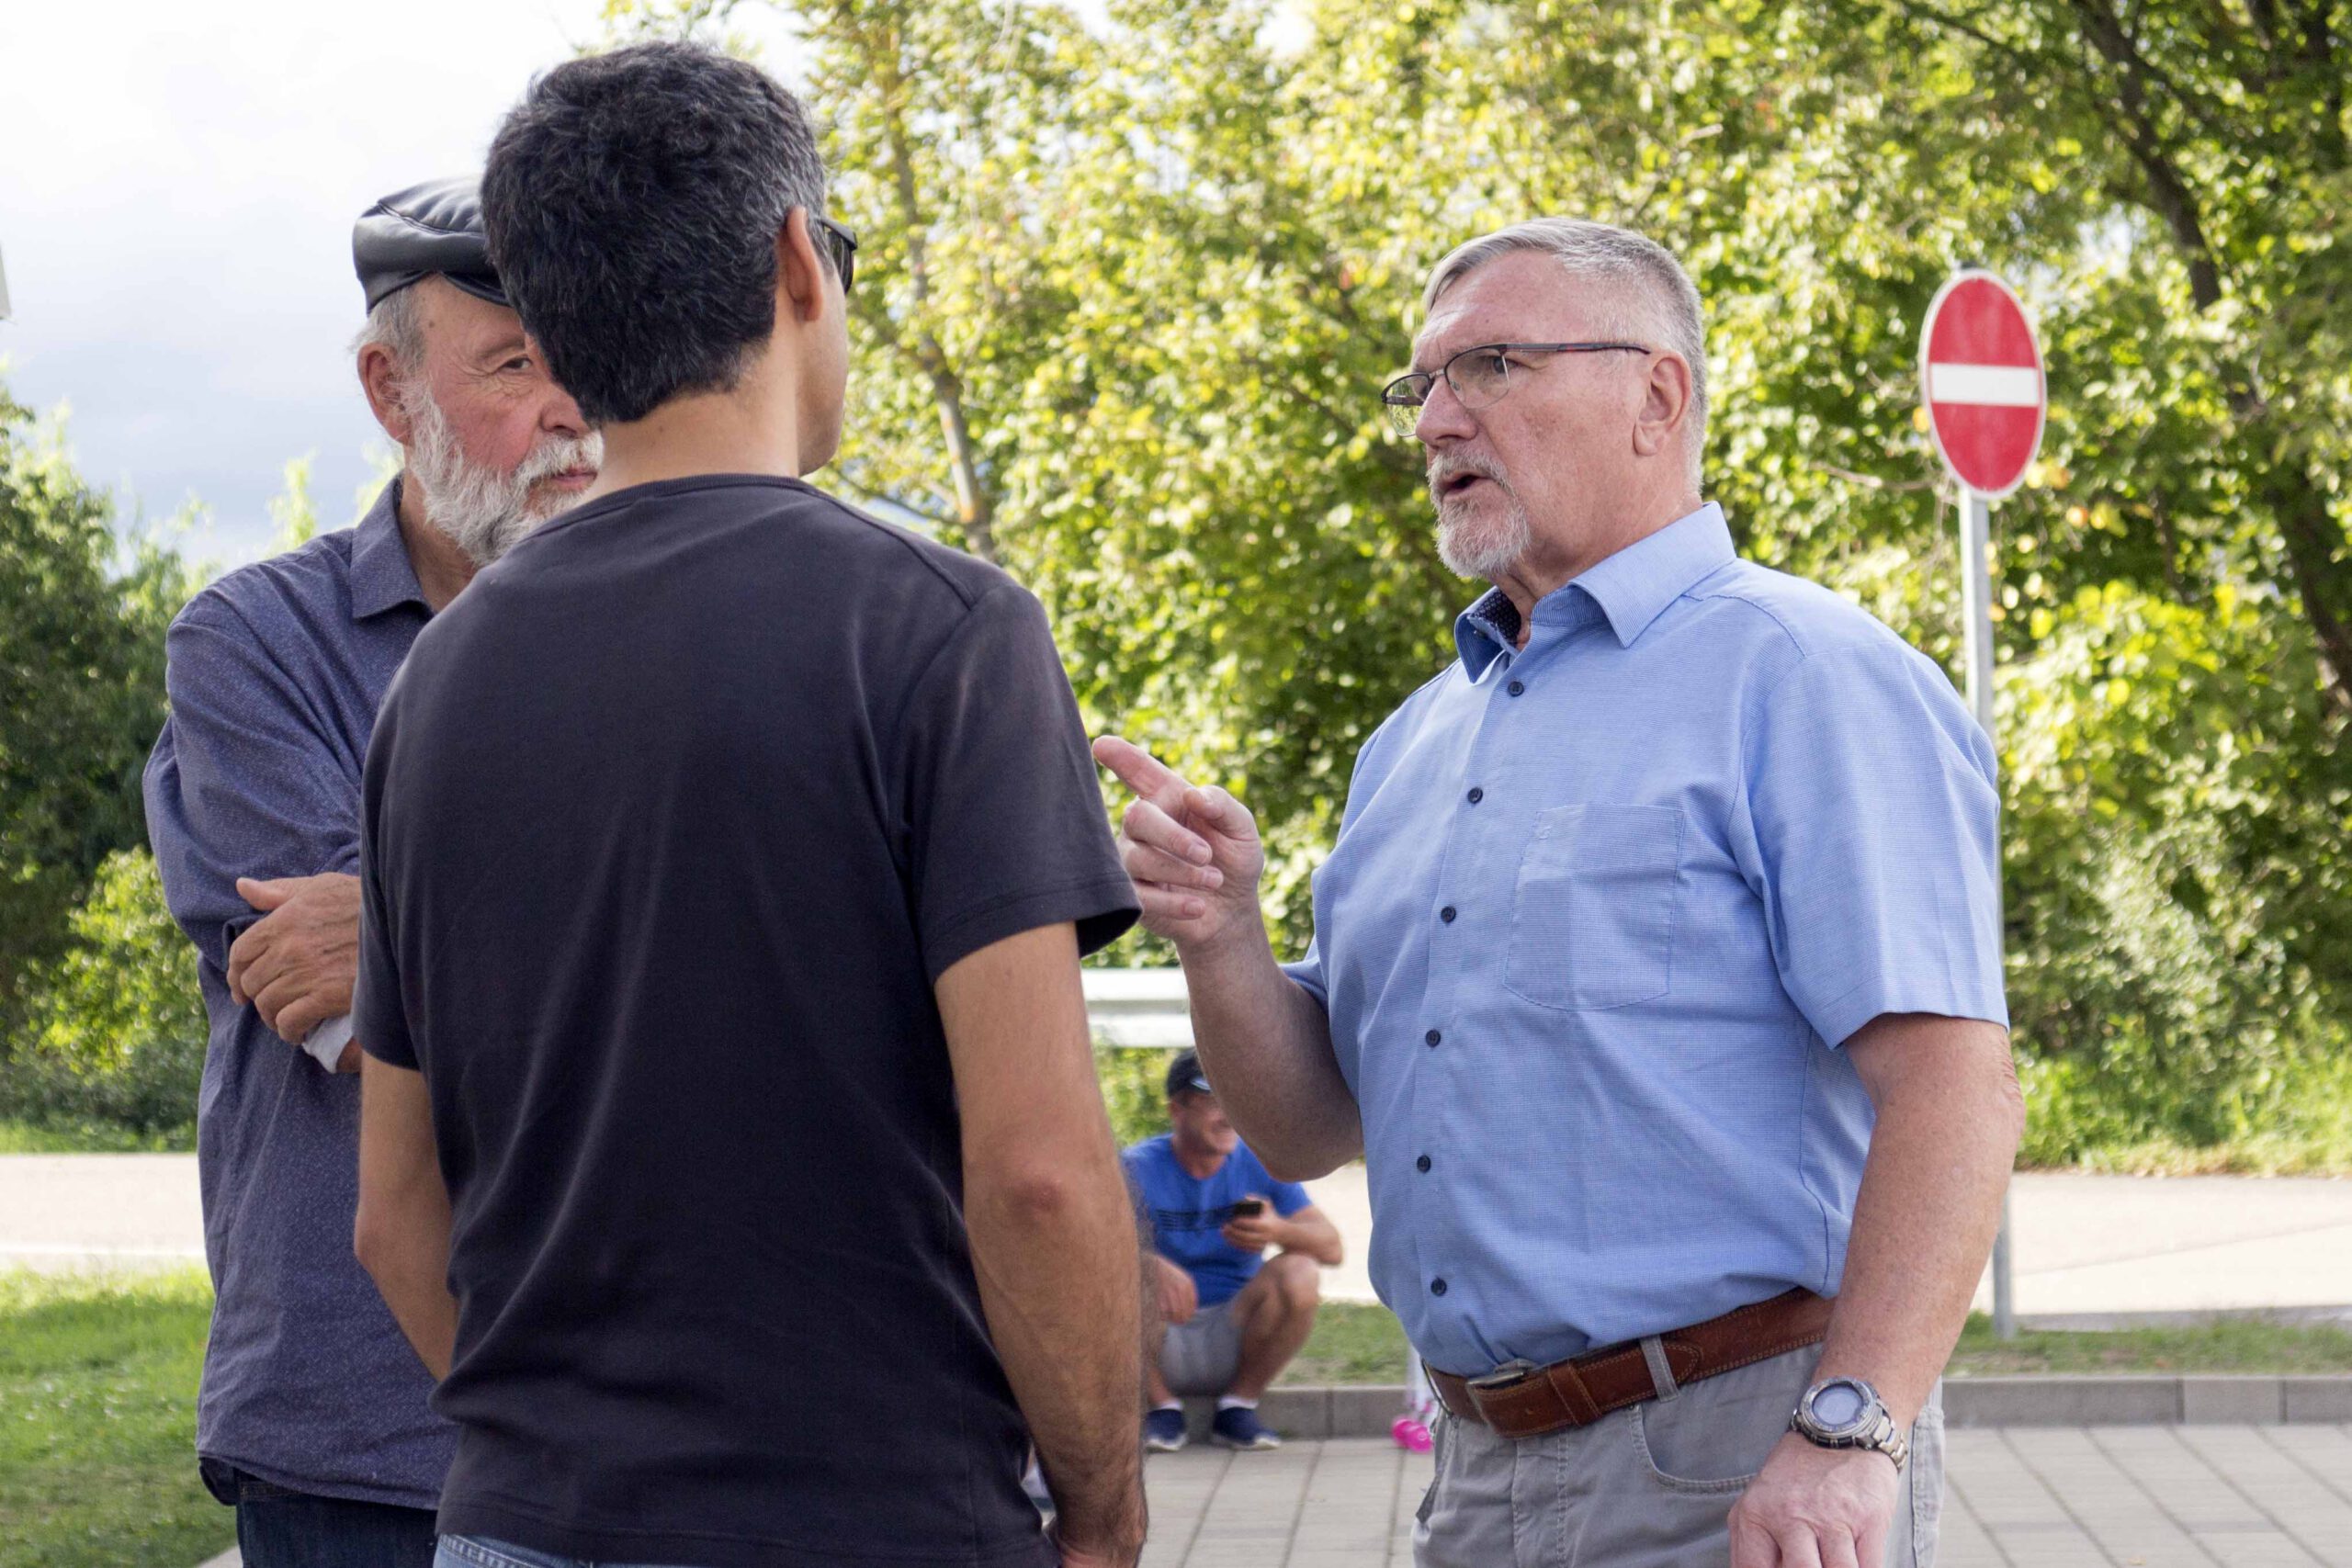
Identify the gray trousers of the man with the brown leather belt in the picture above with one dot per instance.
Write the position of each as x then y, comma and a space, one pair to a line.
1650, 1487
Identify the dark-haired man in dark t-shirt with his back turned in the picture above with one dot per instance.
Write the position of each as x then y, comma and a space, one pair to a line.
733, 1146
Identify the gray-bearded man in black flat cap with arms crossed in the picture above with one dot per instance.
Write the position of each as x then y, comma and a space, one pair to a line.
312, 1419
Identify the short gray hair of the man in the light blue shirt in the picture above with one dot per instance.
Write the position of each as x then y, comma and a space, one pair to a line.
1652, 300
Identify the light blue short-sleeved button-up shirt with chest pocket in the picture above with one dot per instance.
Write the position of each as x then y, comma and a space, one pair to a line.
1598, 918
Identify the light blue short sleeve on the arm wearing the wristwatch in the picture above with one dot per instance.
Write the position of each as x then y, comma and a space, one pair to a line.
1876, 840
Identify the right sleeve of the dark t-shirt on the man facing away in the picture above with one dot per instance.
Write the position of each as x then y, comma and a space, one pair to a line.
1005, 819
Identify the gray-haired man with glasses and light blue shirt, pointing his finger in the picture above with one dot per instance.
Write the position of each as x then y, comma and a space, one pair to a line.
1657, 974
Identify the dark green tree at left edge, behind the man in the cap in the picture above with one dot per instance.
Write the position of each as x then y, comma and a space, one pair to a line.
81, 690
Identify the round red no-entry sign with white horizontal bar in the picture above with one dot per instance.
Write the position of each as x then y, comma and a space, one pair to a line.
1982, 380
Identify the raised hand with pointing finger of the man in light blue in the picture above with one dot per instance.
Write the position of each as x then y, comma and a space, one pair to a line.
1194, 855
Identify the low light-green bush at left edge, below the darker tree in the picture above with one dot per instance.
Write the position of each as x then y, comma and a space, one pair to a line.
116, 1024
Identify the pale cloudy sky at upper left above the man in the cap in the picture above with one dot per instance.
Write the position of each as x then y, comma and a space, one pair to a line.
178, 189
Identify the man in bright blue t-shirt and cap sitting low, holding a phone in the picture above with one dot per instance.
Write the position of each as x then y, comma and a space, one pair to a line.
1231, 1318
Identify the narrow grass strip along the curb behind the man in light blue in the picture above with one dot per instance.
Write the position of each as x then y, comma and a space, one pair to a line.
1365, 1346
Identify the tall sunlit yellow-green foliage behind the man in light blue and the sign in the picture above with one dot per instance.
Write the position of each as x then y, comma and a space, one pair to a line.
1130, 290
